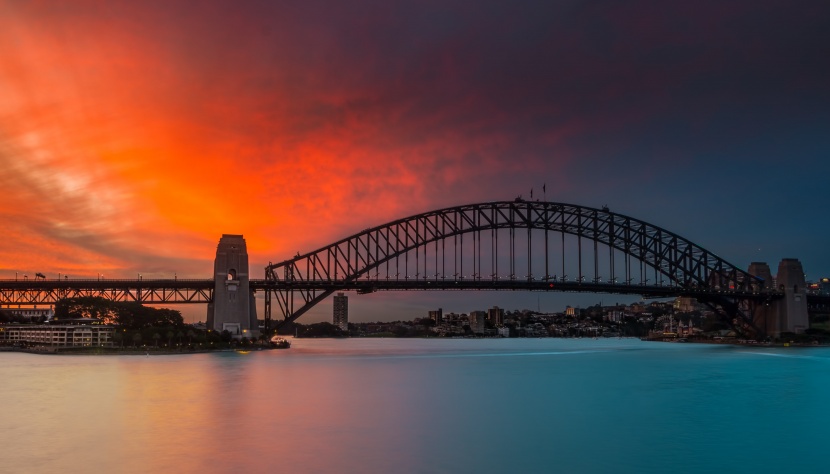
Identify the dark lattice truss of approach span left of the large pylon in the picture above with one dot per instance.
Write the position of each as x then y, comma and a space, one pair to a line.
34, 292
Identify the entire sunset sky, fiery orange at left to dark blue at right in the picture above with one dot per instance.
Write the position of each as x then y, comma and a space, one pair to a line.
133, 134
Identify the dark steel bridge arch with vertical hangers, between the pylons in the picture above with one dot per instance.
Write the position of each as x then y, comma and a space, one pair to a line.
515, 245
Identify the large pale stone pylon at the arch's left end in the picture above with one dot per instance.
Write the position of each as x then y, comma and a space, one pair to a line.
233, 308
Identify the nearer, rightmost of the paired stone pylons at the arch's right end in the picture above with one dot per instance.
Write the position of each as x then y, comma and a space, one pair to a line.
792, 309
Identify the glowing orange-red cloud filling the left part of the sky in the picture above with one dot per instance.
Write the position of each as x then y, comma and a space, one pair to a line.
132, 141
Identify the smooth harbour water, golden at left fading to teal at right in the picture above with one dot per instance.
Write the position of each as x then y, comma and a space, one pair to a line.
422, 406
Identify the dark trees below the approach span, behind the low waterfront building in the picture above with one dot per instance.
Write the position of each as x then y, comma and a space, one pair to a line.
127, 314
